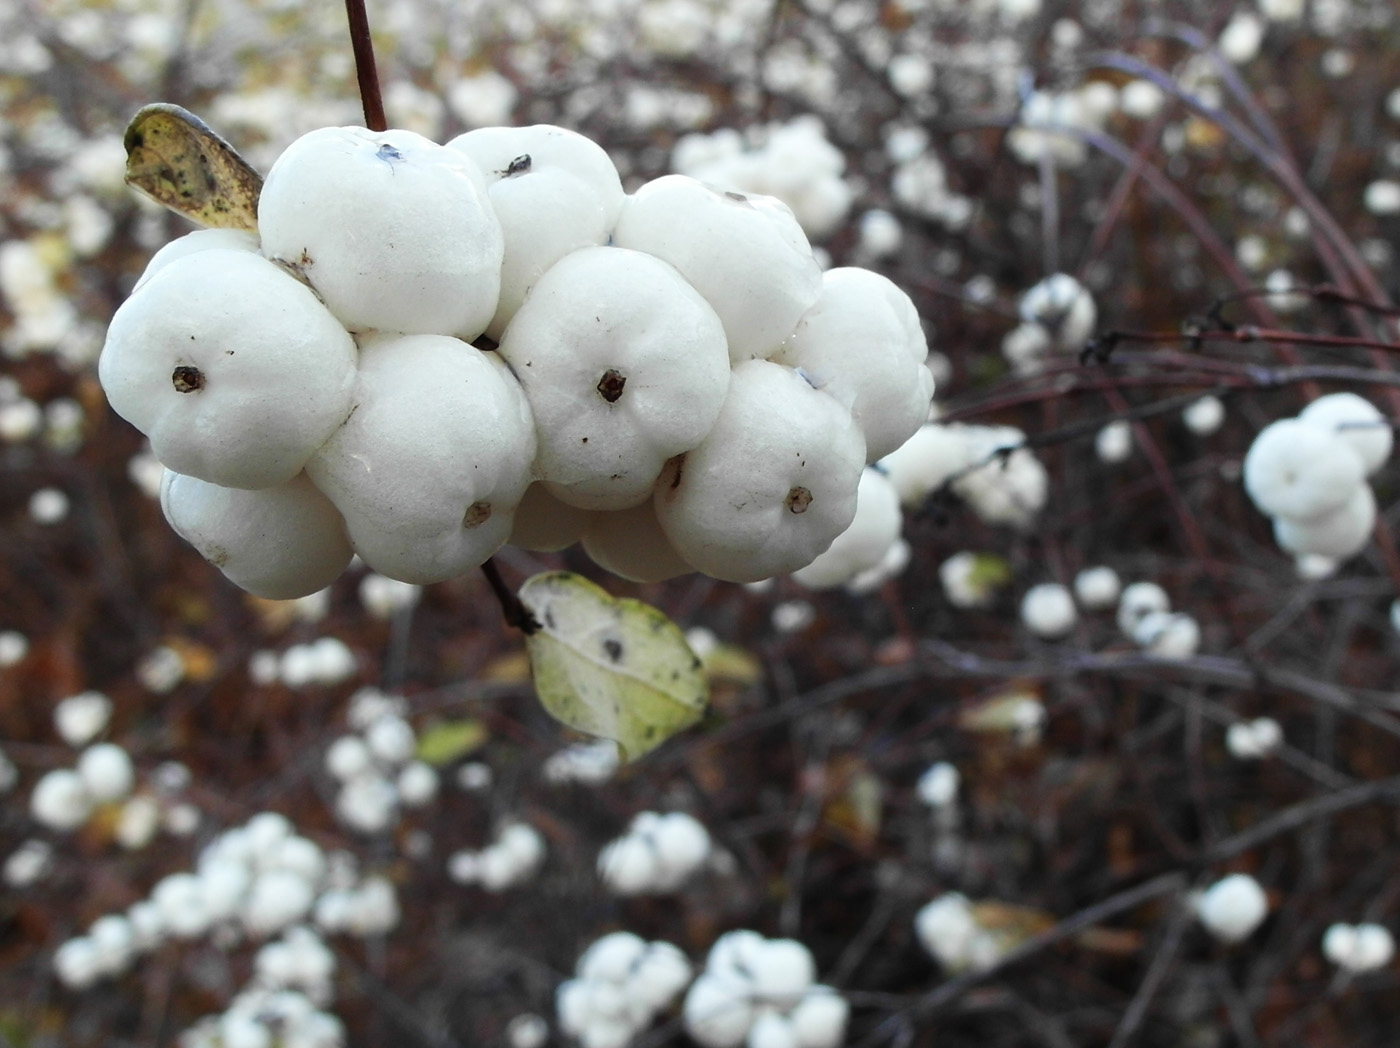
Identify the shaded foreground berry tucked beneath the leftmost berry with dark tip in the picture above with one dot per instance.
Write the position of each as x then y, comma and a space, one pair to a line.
278, 542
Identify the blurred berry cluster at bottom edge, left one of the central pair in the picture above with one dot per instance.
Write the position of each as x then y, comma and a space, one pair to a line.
621, 986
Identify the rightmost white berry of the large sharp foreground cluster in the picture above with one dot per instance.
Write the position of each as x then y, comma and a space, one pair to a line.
864, 345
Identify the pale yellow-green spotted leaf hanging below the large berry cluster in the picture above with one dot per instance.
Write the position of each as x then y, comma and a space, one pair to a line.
614, 668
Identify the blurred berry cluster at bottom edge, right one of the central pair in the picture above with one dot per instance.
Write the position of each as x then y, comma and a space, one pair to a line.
764, 994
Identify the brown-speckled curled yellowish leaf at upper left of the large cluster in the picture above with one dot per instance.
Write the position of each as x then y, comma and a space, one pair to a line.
177, 160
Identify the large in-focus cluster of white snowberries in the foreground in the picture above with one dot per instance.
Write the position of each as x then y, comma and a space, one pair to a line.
677, 395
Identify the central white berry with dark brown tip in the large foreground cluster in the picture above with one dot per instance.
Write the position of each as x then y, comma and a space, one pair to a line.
624, 364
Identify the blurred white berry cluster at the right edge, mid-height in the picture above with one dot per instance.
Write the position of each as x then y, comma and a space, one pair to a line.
1310, 475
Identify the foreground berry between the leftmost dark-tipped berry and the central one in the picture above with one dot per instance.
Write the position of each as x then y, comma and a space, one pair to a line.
429, 468
